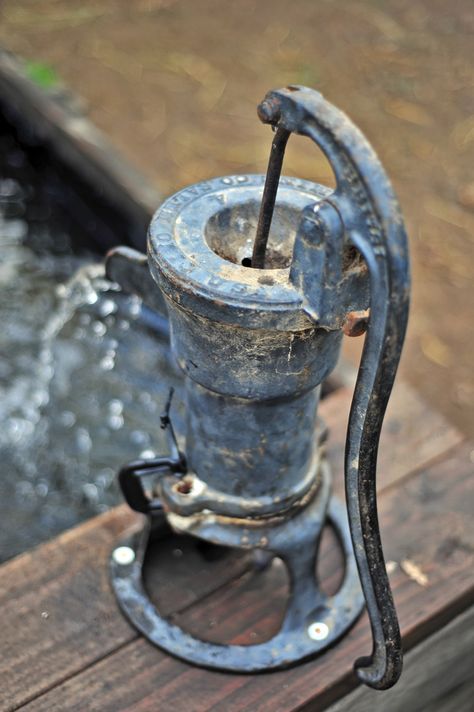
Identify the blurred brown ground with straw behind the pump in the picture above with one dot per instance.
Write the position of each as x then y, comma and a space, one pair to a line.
175, 84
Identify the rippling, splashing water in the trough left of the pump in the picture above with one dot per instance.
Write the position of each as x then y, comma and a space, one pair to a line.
84, 375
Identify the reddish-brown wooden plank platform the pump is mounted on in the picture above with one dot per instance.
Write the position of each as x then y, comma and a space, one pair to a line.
66, 646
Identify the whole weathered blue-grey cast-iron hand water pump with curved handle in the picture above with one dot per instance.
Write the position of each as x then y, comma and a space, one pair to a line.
256, 320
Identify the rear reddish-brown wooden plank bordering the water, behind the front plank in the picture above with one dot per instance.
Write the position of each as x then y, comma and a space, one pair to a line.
67, 579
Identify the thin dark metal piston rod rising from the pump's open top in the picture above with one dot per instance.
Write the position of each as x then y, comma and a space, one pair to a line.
269, 196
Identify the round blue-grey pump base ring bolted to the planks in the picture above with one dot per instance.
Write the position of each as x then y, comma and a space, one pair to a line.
313, 621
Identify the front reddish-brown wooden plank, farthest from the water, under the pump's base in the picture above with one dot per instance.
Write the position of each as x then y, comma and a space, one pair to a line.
426, 520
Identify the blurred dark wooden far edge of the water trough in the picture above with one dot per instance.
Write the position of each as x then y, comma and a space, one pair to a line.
52, 118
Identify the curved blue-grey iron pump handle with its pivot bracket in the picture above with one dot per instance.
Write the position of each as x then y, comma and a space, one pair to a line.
362, 211
